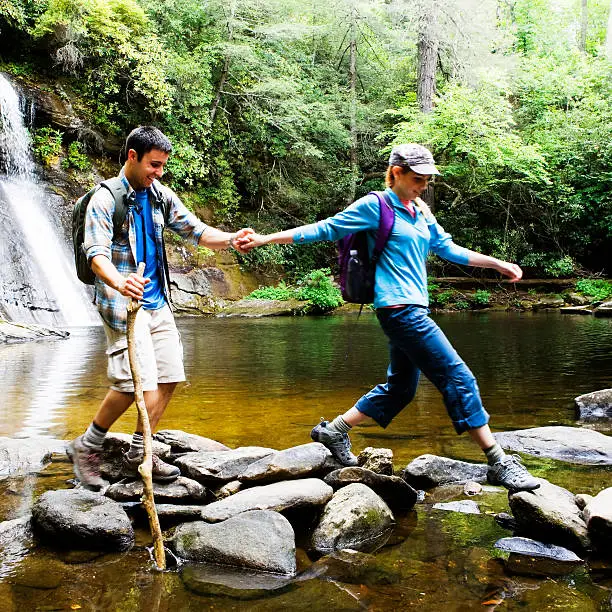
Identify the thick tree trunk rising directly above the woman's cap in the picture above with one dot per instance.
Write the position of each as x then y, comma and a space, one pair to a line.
427, 47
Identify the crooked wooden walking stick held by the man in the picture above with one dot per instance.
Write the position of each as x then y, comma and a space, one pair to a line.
146, 467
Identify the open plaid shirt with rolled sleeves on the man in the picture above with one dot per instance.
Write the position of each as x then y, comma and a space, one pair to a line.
122, 252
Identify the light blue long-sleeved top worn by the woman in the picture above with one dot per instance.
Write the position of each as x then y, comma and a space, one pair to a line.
401, 276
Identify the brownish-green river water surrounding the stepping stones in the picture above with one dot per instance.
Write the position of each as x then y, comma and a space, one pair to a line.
266, 382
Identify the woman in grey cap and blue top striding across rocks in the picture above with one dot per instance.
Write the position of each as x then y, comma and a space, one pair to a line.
401, 300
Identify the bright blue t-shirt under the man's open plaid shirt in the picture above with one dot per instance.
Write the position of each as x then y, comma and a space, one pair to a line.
146, 251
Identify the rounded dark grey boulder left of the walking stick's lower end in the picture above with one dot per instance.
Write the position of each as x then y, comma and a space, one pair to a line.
76, 518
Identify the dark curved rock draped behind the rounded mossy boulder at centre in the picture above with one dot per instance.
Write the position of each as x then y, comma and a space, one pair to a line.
394, 490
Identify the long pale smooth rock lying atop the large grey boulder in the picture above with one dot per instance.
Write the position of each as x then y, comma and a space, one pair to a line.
279, 496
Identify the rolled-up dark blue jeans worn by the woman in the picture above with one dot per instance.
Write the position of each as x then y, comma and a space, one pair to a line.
417, 344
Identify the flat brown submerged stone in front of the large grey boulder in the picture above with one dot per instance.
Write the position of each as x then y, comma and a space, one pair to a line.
235, 583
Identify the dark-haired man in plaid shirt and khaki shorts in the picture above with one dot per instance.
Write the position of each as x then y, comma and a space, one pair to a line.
113, 259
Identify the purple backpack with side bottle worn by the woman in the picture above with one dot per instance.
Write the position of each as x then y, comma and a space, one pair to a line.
357, 265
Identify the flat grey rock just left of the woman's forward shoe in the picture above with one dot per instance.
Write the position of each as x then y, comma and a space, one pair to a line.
427, 471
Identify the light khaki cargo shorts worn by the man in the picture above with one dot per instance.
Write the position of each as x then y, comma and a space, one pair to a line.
159, 349
